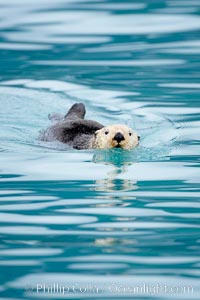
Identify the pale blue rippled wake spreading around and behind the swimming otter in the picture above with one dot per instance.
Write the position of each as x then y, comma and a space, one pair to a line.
32, 105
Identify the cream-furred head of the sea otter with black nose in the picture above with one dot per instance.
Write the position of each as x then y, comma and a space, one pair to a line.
116, 136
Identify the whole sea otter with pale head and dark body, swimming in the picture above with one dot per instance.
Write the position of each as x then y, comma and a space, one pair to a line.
79, 133
